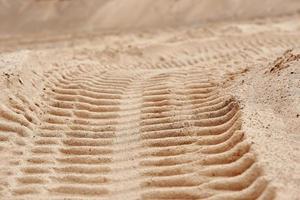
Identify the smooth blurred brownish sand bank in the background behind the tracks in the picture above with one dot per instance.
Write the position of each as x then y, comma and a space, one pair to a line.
37, 16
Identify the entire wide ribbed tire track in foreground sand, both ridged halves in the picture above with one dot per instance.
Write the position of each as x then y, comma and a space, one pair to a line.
147, 135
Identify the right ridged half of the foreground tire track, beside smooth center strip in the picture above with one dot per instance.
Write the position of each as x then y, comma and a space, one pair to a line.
201, 153
